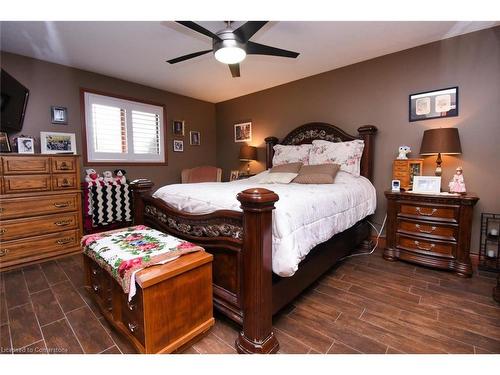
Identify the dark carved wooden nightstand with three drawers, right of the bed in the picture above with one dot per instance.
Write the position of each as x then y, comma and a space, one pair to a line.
431, 230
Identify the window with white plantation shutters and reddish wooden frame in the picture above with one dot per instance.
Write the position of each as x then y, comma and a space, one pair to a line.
125, 131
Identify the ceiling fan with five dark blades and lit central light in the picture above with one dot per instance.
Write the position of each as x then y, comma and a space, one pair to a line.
231, 46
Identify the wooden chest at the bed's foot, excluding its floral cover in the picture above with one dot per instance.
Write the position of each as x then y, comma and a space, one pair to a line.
172, 306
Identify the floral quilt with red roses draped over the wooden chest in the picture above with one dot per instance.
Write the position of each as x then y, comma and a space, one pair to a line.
124, 252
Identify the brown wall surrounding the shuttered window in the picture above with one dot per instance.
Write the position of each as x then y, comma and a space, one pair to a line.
53, 84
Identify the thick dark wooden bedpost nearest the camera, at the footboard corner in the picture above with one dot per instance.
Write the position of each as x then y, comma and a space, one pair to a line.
257, 335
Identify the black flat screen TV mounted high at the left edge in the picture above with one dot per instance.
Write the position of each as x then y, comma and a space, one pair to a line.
14, 98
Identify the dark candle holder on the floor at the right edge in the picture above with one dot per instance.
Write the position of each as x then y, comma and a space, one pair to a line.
489, 243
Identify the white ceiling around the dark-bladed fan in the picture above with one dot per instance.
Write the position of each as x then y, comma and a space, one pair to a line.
136, 51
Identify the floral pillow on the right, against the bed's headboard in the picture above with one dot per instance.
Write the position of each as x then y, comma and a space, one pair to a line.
347, 154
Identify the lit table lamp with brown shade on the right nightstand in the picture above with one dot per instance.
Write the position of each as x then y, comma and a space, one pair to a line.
440, 141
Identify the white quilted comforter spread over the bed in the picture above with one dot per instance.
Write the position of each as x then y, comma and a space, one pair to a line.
305, 215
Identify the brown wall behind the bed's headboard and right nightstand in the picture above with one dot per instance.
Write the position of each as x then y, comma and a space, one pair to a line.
376, 92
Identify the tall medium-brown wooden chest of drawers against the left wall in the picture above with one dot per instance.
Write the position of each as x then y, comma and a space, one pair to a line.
40, 208
